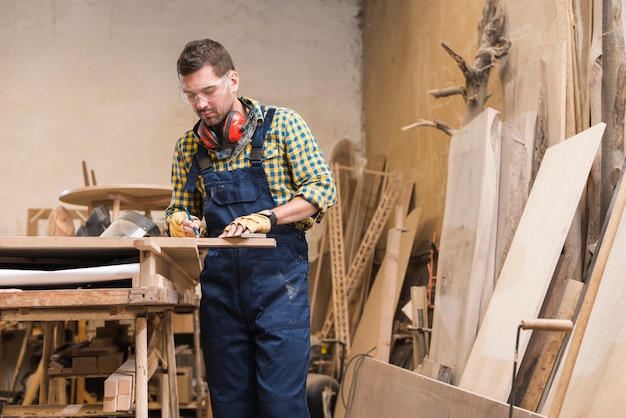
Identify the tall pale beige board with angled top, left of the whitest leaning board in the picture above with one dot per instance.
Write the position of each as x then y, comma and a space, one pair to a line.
466, 263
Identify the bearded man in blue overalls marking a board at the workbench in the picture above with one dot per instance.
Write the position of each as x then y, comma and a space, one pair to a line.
246, 168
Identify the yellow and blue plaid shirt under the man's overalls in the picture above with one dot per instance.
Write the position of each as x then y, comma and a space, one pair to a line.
292, 161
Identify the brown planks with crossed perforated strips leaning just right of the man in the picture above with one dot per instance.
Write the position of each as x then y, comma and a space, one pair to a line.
366, 198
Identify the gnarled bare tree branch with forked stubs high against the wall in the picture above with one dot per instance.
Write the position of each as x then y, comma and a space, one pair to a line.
492, 46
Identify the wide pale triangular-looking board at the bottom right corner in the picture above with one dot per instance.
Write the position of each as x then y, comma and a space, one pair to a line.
596, 385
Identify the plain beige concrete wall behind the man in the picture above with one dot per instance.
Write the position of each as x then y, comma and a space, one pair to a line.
95, 80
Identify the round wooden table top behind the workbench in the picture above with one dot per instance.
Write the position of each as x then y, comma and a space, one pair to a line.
131, 196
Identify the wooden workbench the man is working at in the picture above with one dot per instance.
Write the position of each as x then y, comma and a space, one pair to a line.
167, 281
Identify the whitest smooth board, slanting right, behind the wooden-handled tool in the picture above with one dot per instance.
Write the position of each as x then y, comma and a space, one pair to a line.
530, 263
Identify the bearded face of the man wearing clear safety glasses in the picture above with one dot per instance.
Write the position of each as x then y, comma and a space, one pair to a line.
210, 96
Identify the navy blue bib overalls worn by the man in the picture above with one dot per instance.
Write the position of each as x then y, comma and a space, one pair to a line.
254, 312
